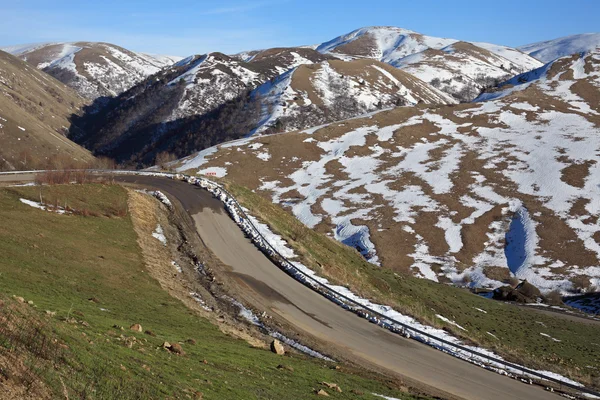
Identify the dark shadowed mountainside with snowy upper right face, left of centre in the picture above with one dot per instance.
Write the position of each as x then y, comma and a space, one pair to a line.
200, 93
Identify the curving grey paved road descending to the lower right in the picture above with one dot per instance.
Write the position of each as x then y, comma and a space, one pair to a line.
308, 311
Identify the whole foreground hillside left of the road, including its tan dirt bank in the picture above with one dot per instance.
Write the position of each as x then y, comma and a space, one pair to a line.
74, 339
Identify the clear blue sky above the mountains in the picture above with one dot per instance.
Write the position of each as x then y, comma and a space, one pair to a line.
187, 27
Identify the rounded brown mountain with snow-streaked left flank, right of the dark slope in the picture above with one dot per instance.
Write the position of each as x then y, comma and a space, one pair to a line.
313, 94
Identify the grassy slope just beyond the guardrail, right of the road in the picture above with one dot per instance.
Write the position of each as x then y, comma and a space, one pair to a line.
517, 329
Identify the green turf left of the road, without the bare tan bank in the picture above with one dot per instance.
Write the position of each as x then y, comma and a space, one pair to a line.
60, 262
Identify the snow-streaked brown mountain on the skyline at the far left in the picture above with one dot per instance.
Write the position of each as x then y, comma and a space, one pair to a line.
92, 69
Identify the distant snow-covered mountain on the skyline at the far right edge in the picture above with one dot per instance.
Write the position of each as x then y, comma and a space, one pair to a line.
552, 49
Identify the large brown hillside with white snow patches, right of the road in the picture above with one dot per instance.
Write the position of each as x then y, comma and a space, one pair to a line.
472, 194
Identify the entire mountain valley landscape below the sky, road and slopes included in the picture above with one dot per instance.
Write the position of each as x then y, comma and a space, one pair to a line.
383, 214
